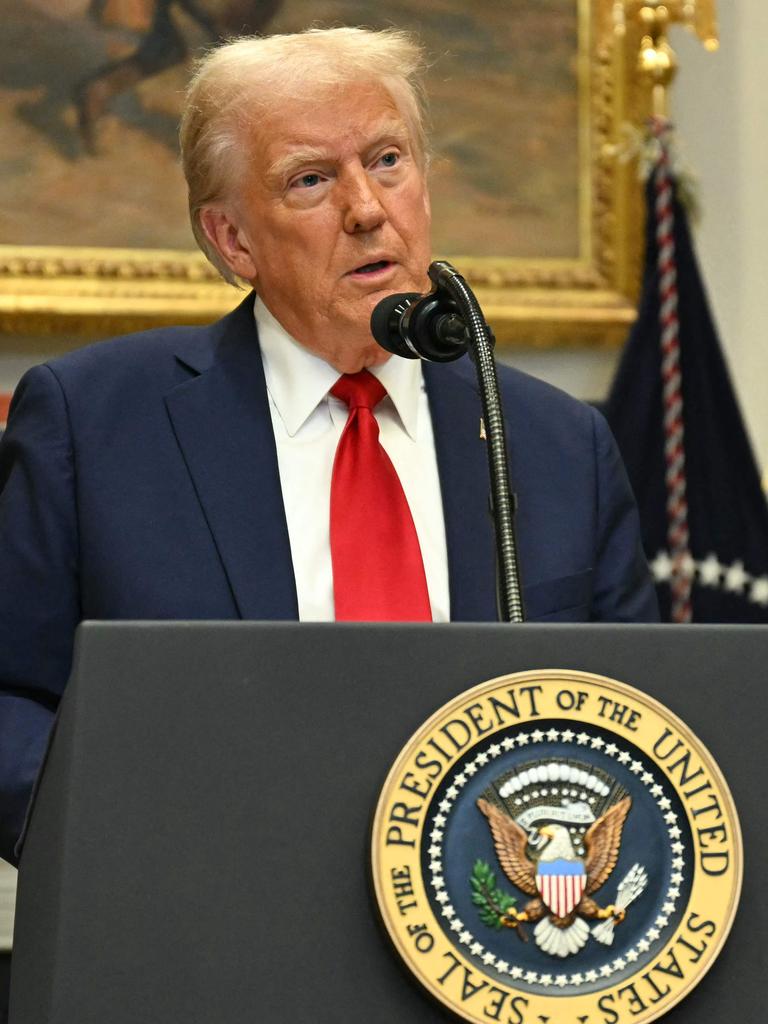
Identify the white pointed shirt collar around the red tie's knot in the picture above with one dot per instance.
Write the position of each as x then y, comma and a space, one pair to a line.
297, 380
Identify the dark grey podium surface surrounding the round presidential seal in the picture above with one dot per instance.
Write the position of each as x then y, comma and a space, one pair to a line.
199, 845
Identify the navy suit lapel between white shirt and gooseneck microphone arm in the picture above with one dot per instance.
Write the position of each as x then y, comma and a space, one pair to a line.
462, 463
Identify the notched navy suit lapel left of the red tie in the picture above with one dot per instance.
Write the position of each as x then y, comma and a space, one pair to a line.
224, 428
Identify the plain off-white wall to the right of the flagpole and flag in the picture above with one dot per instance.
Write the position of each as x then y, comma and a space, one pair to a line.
721, 105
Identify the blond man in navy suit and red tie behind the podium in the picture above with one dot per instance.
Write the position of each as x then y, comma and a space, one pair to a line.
189, 474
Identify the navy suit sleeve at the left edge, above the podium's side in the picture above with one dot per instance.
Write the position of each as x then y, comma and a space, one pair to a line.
39, 604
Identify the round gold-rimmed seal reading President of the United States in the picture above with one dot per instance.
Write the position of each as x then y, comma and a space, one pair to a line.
557, 847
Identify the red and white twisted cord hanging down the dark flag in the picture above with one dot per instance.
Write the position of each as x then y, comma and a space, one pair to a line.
677, 505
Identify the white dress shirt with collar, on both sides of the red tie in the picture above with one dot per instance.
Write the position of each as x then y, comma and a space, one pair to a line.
308, 424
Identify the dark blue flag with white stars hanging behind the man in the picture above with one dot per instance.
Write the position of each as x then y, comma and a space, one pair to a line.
728, 515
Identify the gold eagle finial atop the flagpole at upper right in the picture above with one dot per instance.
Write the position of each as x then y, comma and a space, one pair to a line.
657, 61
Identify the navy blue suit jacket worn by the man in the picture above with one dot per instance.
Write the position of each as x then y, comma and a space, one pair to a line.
140, 481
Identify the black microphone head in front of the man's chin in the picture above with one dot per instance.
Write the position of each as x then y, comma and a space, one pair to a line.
420, 327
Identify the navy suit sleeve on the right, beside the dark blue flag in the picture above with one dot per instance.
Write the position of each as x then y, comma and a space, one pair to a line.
623, 588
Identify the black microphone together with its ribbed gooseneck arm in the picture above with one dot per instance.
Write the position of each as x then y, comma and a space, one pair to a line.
442, 327
